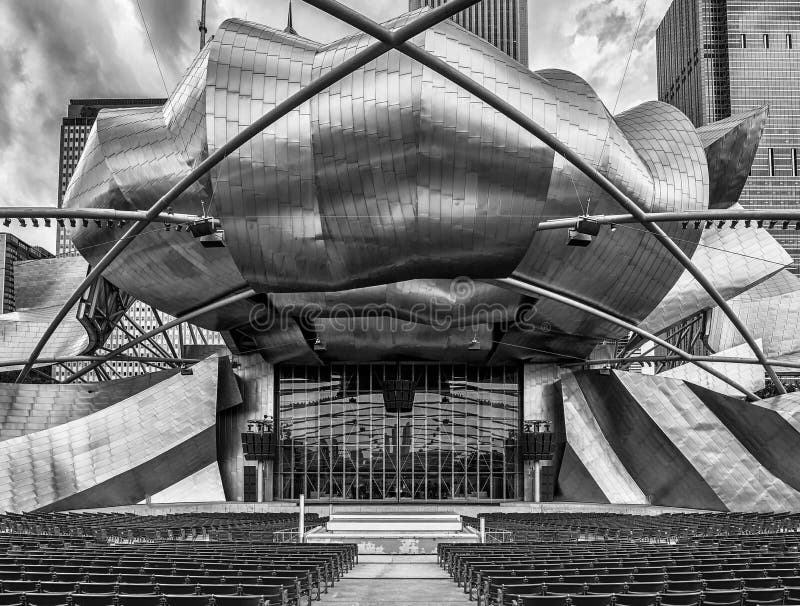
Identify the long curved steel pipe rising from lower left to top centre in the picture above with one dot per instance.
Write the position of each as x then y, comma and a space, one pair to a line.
348, 66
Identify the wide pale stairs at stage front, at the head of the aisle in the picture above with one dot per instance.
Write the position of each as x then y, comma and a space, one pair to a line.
393, 532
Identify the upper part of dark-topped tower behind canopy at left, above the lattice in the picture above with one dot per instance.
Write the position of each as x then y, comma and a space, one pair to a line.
75, 127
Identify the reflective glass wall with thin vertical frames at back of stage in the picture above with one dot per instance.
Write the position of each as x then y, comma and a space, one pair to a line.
338, 442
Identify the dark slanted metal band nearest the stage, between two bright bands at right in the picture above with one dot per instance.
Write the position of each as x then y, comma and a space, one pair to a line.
659, 467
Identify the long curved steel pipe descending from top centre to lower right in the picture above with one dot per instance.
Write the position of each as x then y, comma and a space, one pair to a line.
444, 69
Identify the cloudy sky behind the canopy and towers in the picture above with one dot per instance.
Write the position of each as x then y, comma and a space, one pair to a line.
54, 50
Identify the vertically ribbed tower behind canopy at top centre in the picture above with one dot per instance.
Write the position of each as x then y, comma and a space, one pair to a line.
503, 23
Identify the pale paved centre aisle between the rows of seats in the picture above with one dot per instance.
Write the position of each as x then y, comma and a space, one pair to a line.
395, 581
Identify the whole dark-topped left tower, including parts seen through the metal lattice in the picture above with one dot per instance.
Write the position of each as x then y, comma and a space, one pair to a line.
75, 128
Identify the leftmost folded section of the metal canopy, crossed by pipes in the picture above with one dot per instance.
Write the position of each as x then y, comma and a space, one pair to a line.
132, 157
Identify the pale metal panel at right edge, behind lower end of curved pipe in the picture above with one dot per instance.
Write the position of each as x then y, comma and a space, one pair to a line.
771, 311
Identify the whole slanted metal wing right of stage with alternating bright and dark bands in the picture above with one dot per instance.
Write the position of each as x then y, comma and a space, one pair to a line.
681, 444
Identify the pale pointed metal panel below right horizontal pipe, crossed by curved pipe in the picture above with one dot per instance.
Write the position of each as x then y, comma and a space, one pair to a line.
734, 259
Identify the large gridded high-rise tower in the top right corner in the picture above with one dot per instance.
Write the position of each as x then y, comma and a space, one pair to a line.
722, 57
